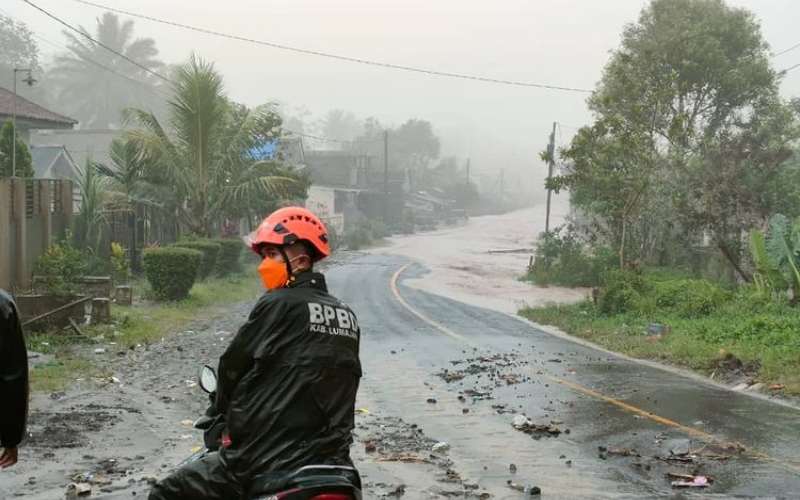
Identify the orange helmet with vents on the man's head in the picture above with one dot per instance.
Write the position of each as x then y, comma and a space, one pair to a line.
288, 225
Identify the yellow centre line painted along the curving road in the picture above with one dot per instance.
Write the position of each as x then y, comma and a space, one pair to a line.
691, 431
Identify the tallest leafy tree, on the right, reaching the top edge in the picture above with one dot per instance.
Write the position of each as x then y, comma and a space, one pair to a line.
693, 77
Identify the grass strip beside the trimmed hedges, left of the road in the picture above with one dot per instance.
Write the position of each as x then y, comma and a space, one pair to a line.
144, 322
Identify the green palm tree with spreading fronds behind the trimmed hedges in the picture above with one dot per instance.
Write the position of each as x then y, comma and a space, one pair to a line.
203, 157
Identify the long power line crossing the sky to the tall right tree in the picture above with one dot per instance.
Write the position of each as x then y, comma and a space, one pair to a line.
339, 57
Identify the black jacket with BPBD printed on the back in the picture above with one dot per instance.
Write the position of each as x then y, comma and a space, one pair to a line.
288, 381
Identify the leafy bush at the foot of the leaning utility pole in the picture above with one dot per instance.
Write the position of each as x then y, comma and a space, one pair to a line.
562, 260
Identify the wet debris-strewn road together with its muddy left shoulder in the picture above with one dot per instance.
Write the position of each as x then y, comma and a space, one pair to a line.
457, 401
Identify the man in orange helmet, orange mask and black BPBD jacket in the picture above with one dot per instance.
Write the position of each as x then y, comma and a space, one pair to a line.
288, 380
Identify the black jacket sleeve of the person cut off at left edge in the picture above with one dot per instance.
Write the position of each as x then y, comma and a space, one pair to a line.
13, 374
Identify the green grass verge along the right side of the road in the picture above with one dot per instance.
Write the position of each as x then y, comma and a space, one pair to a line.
763, 336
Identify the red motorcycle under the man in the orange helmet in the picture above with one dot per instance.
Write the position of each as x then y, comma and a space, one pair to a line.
312, 482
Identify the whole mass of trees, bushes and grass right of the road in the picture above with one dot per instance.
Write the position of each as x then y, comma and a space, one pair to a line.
685, 202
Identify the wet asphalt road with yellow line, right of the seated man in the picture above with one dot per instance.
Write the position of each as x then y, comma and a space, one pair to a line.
603, 400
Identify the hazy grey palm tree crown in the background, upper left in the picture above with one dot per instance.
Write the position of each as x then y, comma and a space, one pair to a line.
95, 95
